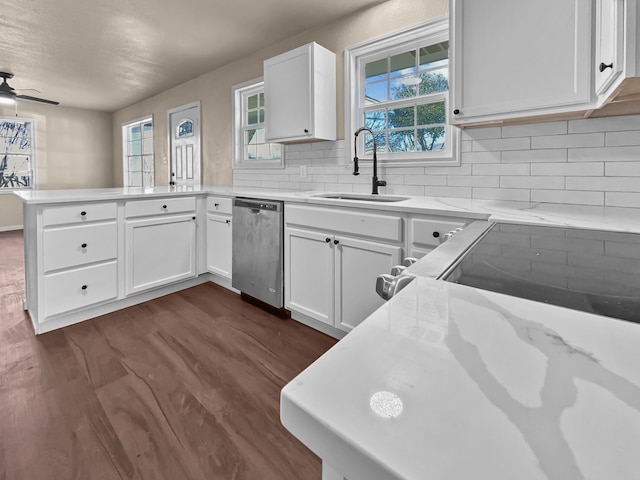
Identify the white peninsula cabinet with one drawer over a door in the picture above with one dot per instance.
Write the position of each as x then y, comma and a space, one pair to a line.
160, 247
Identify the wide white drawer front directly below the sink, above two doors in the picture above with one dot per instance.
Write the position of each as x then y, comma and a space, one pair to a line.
368, 224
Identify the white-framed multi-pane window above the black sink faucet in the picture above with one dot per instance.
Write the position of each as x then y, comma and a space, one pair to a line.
398, 86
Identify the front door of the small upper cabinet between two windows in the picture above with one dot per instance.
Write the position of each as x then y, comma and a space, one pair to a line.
287, 89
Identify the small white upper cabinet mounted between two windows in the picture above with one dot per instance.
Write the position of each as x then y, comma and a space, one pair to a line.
300, 95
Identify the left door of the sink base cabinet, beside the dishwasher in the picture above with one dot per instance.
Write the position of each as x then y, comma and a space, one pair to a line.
309, 274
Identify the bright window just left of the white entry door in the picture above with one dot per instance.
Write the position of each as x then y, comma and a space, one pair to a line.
137, 146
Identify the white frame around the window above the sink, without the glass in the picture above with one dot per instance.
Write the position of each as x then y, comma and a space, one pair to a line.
420, 35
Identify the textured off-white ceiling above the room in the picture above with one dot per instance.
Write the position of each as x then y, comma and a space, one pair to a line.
108, 54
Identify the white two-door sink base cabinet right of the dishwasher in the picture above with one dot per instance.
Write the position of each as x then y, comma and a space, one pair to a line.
332, 259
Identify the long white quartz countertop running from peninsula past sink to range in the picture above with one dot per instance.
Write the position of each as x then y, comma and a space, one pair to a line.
604, 218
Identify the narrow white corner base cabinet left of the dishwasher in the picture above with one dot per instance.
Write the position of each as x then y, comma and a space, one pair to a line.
219, 236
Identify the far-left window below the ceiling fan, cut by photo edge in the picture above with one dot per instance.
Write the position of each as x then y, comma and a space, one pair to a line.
17, 152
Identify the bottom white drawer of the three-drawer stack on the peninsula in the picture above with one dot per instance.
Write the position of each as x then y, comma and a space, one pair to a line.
73, 289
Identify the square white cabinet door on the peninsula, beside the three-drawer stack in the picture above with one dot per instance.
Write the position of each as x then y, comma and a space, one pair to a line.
159, 251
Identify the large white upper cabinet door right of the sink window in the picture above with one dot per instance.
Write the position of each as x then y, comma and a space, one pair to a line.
517, 58
